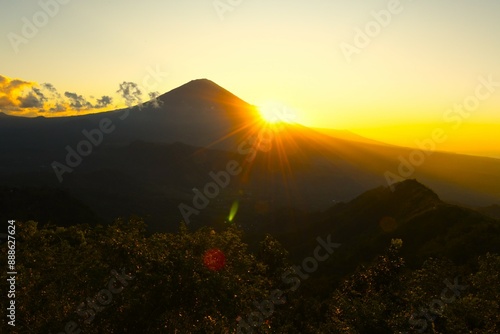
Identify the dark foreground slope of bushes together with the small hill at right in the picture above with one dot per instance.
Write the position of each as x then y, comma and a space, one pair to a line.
210, 281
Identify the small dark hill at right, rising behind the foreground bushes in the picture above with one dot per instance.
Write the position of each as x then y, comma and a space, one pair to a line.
428, 227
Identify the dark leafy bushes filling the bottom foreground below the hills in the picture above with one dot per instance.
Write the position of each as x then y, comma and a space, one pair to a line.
120, 279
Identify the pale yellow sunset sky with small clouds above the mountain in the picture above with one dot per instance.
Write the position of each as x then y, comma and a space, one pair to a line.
391, 70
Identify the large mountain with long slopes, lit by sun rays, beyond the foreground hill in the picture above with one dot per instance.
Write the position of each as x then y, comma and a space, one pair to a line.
146, 160
